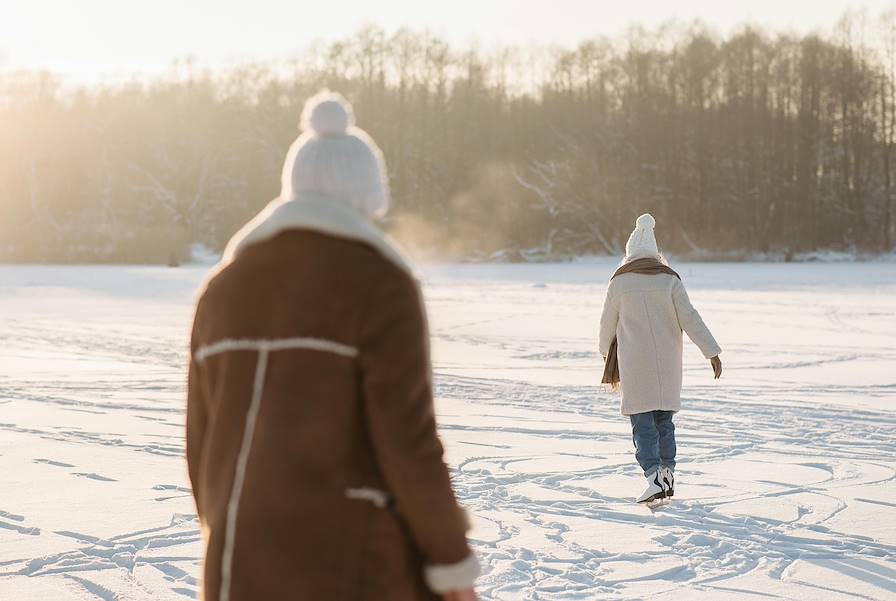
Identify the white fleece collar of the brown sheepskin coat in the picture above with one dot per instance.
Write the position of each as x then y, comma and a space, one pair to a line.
317, 213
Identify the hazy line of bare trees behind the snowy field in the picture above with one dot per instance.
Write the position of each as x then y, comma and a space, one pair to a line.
756, 143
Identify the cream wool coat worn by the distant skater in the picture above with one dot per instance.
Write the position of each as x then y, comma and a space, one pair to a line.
646, 314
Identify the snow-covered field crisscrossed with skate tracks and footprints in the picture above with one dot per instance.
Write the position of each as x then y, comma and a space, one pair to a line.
787, 475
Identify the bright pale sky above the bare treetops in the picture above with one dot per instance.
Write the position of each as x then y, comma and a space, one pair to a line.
90, 39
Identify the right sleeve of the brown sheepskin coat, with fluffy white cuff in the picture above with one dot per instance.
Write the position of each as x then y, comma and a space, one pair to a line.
397, 385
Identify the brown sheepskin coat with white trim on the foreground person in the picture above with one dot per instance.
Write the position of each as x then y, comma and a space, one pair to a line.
311, 438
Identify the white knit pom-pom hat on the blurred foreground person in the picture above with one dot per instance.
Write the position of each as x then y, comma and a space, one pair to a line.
334, 158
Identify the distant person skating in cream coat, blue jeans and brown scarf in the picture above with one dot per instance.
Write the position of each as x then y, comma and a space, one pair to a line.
644, 314
